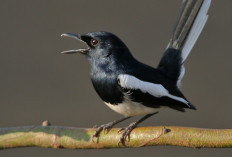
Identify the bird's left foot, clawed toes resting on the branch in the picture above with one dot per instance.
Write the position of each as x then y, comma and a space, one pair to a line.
105, 127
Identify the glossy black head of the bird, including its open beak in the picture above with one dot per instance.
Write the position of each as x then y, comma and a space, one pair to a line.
99, 45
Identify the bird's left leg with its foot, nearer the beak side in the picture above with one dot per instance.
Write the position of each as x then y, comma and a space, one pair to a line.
107, 127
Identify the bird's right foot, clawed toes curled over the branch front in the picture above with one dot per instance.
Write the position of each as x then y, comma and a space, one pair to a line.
126, 133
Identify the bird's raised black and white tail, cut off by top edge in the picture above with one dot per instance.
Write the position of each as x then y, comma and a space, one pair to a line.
189, 26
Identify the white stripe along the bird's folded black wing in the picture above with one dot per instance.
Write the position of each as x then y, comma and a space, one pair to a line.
156, 90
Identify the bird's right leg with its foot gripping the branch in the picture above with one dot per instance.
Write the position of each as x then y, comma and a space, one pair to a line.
126, 131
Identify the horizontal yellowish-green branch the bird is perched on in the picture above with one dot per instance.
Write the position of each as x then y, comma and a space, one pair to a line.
80, 138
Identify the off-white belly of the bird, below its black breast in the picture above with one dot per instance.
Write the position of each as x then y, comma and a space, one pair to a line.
130, 108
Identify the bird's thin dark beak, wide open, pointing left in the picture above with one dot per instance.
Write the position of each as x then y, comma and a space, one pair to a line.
75, 36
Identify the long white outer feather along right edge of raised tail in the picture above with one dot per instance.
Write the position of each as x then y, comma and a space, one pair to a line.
196, 29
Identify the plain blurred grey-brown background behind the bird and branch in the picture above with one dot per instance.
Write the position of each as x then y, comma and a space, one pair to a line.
39, 83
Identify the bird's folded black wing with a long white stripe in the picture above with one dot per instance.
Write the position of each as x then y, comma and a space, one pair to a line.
150, 93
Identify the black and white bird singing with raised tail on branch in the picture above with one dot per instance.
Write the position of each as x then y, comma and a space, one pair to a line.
132, 88
